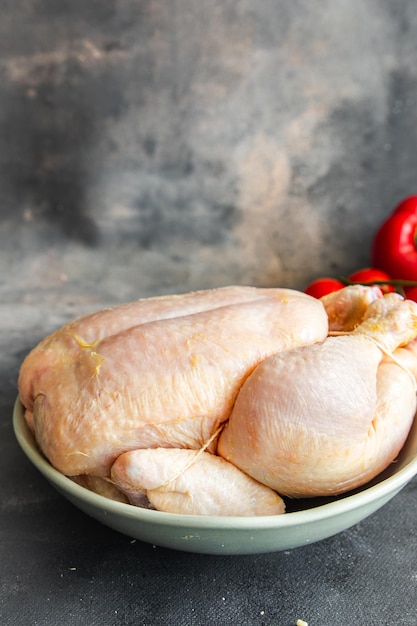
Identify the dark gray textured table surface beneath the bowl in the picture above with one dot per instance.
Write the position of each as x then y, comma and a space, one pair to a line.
58, 566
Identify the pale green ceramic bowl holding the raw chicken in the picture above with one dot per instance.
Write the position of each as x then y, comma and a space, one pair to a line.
318, 519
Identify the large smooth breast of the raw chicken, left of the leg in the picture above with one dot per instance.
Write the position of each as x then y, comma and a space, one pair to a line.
165, 373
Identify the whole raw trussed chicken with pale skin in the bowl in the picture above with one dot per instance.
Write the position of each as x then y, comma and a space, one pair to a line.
214, 402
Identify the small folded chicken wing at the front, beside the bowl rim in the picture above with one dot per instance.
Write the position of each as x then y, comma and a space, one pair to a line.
192, 483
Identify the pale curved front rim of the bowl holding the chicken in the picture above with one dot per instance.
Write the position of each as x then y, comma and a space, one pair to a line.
383, 488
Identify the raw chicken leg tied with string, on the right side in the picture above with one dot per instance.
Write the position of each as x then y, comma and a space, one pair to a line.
326, 418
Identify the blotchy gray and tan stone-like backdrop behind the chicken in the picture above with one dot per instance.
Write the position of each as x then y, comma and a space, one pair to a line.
150, 146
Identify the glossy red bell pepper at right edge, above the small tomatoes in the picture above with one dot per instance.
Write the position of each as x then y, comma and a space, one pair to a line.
394, 248
